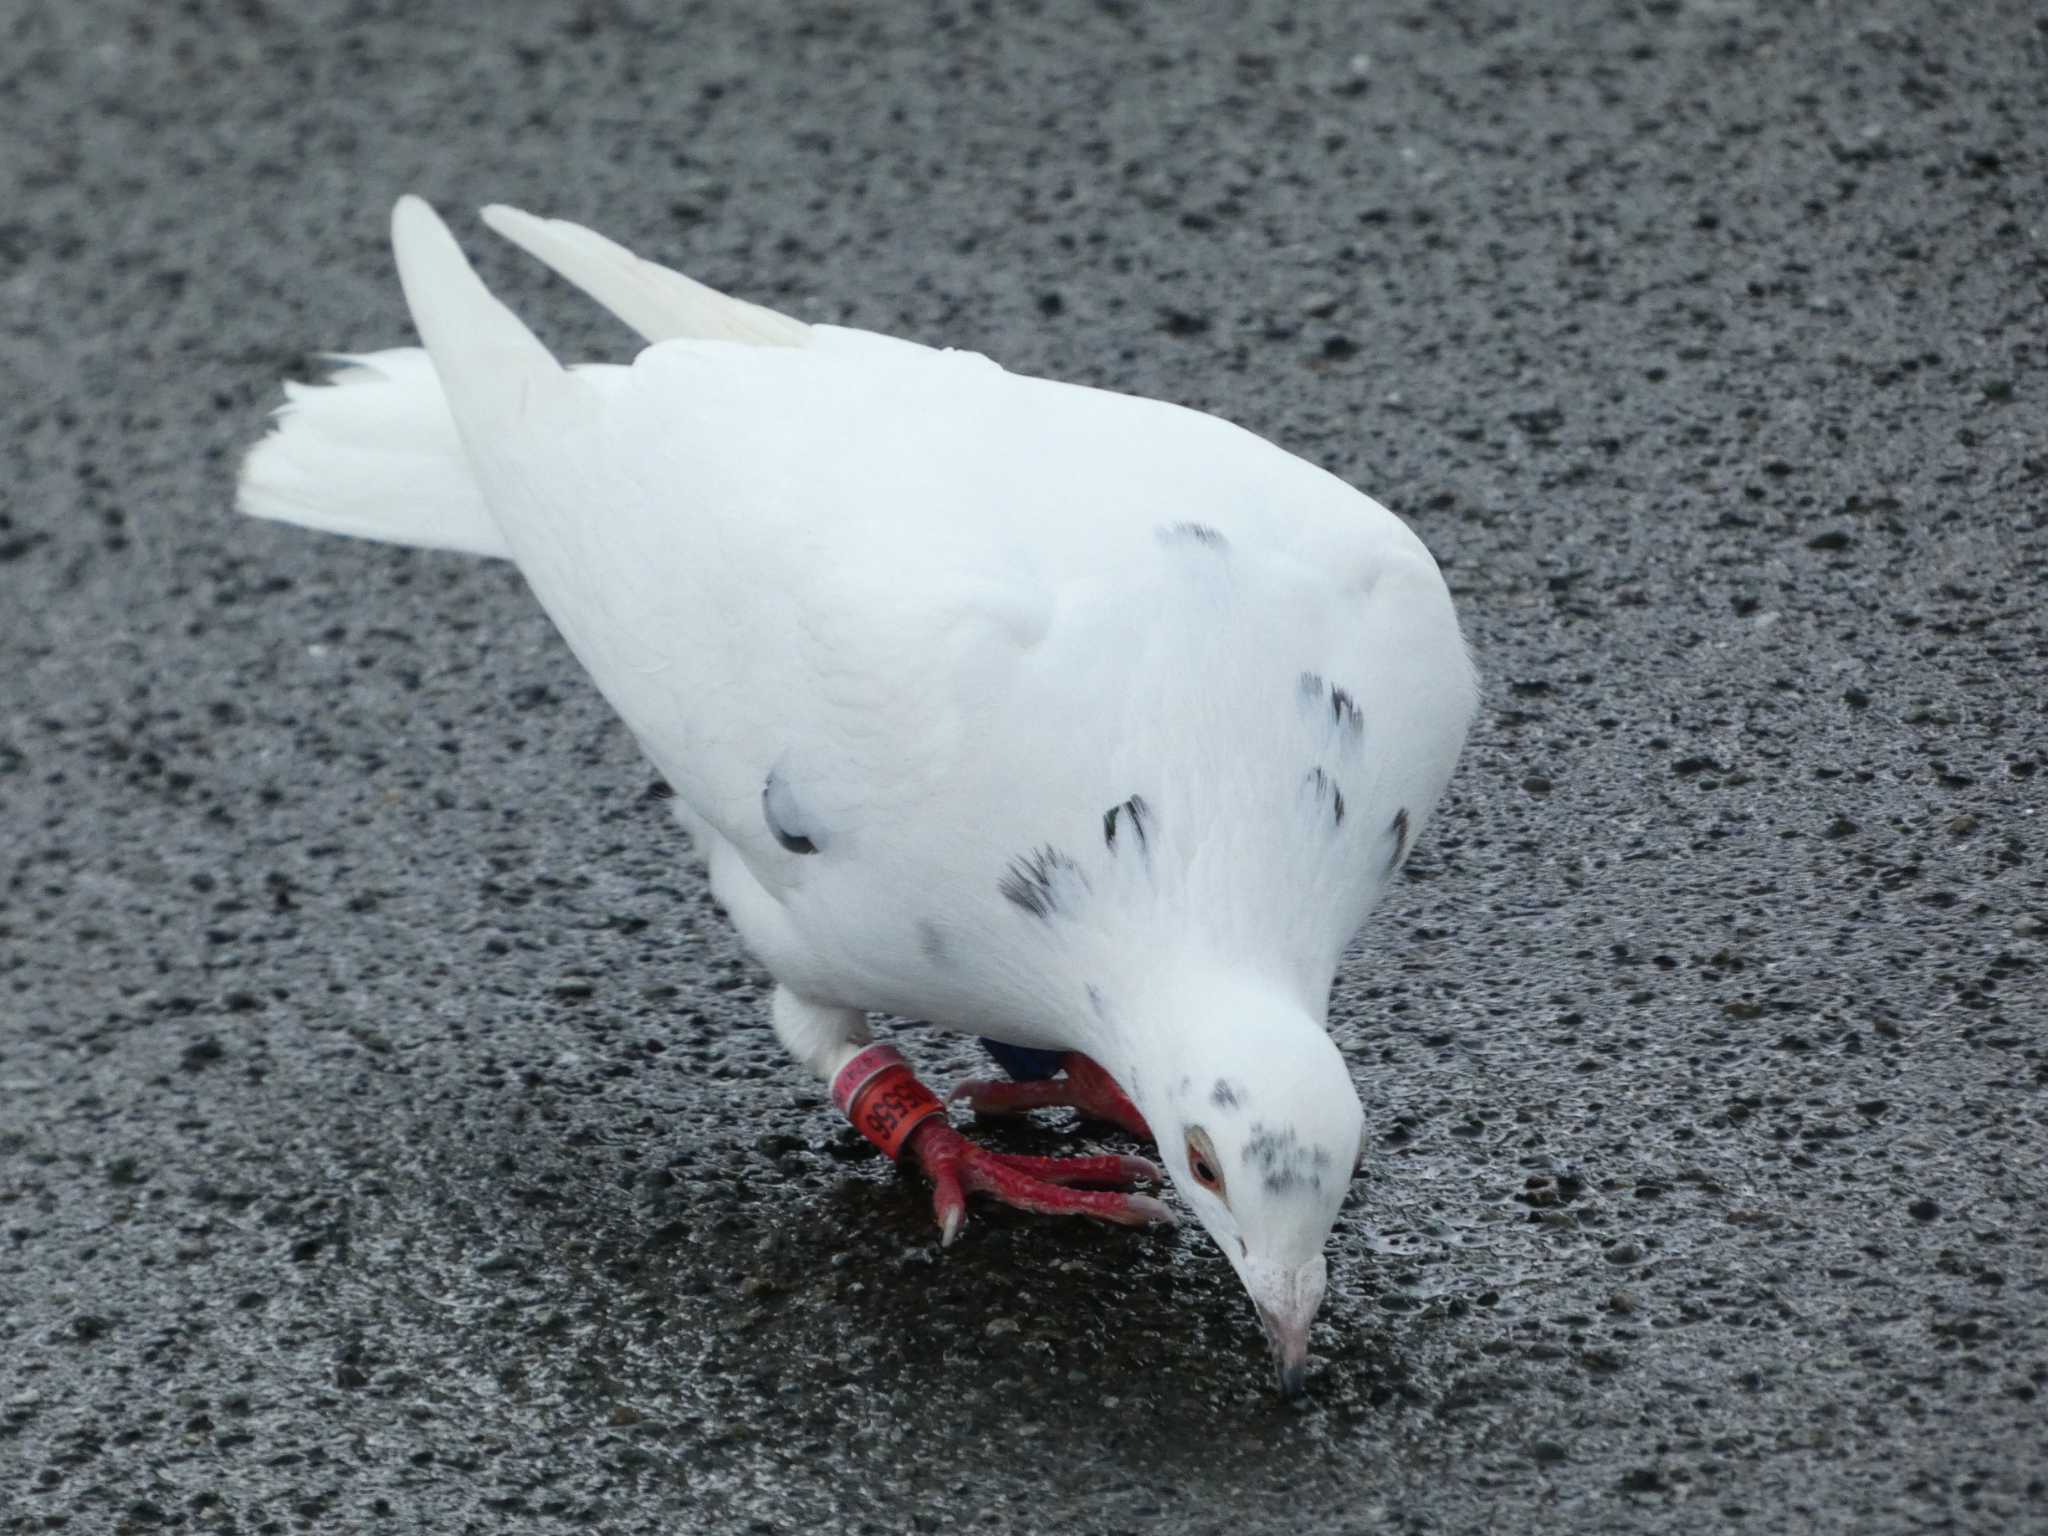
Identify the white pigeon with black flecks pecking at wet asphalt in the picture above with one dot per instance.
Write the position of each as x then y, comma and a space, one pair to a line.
1080, 722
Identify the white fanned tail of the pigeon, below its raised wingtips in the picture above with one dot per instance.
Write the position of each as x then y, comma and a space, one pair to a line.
374, 454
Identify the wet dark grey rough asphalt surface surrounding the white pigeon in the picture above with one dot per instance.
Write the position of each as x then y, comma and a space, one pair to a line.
390, 1138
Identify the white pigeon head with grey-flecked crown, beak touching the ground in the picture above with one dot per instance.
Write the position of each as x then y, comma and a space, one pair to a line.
1261, 1129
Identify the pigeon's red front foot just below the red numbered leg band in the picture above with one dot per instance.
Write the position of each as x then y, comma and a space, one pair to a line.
1052, 1187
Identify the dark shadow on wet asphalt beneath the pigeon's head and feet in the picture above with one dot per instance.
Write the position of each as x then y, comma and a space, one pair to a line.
1054, 1338
